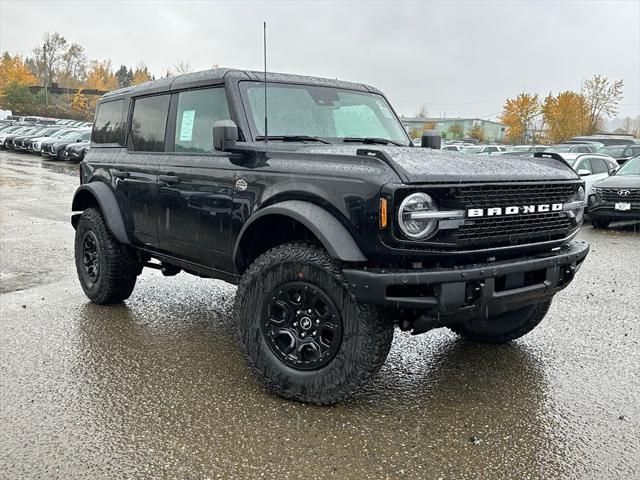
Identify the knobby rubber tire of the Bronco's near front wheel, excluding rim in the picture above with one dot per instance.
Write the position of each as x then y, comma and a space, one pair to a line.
366, 339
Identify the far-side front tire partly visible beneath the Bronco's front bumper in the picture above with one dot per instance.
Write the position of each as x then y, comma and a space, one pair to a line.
504, 327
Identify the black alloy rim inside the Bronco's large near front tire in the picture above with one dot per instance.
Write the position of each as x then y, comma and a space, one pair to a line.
301, 325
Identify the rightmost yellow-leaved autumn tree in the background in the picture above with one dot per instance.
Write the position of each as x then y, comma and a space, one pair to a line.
602, 99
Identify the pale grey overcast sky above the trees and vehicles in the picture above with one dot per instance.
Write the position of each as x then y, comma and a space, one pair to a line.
458, 58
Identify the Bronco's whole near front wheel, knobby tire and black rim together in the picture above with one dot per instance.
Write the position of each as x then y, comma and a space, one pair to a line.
301, 331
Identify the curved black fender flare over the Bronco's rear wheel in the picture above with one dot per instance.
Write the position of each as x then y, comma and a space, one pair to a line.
101, 193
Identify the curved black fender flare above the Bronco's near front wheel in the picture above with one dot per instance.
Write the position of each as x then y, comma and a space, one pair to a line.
325, 226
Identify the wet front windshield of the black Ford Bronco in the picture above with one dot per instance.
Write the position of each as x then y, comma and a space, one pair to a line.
329, 113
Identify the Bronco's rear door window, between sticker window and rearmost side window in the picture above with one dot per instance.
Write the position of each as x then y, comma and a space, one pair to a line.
148, 124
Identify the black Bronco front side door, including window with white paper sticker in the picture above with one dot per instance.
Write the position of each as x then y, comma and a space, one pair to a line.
196, 183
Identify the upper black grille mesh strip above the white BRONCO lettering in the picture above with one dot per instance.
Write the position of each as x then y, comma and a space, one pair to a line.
506, 195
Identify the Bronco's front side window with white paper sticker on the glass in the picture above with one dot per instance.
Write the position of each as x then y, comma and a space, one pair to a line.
197, 111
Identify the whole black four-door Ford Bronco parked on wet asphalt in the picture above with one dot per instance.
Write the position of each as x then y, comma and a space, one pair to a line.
308, 194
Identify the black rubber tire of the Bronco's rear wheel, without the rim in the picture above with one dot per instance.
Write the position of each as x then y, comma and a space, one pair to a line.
118, 265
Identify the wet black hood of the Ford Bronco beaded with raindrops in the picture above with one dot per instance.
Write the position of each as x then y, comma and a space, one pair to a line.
423, 165
